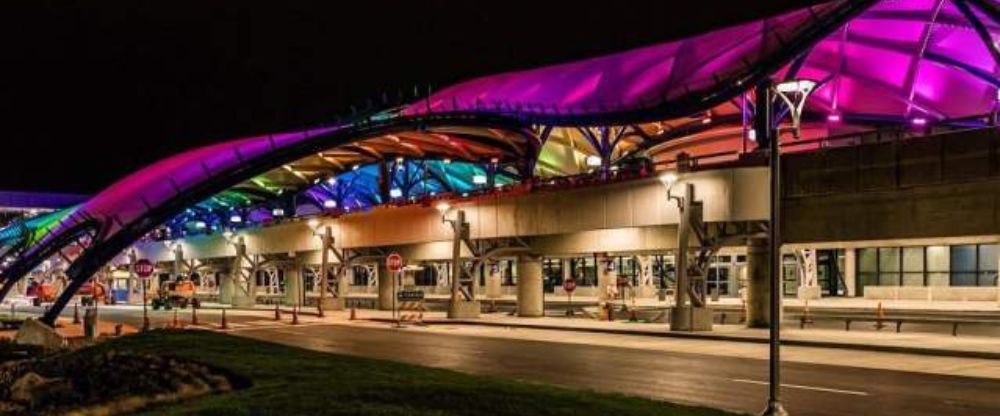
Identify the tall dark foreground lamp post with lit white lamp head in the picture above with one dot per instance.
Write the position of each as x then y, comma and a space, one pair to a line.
793, 93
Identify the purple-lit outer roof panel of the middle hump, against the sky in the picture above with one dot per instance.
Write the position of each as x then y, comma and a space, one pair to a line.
651, 79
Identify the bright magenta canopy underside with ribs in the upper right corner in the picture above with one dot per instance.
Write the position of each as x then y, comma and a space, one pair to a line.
908, 59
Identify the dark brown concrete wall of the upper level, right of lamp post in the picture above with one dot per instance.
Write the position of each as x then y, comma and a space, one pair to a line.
930, 187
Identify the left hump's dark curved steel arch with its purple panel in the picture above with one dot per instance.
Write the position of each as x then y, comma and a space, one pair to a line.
121, 225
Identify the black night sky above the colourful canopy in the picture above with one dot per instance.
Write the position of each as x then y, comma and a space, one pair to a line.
92, 90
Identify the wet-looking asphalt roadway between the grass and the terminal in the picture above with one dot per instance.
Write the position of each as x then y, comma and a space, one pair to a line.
737, 384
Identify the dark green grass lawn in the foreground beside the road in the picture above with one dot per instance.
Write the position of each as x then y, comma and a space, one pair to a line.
291, 381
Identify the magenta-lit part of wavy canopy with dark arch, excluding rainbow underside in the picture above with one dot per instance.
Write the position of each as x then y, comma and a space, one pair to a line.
885, 60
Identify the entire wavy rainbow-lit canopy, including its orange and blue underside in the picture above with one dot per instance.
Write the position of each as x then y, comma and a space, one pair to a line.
899, 61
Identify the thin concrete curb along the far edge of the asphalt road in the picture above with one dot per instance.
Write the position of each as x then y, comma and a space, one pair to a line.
934, 352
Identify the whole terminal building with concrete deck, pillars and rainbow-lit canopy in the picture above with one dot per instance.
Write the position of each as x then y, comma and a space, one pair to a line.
619, 172
